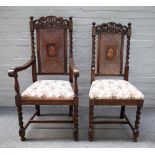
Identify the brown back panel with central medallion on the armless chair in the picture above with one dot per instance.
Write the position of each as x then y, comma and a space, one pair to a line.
110, 53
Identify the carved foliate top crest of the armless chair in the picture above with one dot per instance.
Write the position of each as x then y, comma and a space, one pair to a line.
111, 27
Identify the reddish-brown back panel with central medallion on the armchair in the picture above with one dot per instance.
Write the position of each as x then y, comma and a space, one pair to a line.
52, 50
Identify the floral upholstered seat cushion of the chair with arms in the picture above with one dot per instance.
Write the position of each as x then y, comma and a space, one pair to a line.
49, 89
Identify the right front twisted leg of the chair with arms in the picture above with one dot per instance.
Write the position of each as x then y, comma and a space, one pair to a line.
75, 117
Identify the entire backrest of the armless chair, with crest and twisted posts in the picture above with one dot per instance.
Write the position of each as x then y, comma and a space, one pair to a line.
107, 58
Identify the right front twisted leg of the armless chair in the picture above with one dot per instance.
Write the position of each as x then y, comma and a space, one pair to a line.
137, 122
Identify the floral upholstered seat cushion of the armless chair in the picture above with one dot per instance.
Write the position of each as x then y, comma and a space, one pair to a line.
114, 89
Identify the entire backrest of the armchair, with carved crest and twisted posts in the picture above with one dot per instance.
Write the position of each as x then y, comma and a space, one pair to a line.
51, 40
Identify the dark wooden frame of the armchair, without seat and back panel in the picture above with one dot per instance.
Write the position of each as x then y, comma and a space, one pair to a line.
48, 22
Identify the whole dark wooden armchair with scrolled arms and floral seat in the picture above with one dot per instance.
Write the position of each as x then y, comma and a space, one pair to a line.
52, 58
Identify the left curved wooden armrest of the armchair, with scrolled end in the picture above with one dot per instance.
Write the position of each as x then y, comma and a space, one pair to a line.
13, 71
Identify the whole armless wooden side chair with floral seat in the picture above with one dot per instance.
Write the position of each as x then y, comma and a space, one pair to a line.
108, 60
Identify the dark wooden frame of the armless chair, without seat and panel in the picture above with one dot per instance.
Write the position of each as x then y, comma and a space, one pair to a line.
113, 28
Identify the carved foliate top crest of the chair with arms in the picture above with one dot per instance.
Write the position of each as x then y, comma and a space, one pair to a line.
51, 22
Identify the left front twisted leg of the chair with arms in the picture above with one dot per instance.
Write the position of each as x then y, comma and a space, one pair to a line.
20, 118
